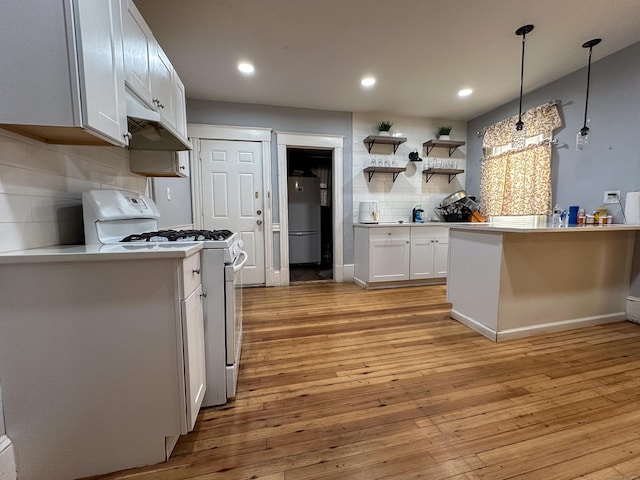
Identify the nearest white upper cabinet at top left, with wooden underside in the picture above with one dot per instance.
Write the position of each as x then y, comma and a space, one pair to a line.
63, 80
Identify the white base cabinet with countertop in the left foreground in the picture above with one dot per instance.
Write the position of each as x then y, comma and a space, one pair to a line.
101, 355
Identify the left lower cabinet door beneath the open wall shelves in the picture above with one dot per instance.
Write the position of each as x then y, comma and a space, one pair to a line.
388, 260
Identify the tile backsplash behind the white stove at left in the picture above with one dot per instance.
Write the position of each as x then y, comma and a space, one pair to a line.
41, 188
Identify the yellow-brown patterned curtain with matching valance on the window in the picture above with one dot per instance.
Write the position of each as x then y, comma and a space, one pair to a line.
515, 173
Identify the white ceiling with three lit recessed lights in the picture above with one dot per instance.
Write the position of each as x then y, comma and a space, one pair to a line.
313, 54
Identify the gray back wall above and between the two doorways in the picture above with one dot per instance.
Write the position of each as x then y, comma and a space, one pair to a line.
298, 120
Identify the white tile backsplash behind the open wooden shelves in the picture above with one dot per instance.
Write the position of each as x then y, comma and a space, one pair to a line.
397, 199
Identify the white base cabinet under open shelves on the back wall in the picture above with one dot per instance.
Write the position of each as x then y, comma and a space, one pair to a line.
394, 255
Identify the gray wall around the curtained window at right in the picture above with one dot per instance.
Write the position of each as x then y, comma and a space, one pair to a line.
612, 160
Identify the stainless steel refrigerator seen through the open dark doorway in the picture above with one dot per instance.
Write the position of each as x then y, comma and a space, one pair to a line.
304, 220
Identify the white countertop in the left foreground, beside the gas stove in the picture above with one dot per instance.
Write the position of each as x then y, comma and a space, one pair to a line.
84, 253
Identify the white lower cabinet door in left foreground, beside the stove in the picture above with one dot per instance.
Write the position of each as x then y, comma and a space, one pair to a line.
193, 351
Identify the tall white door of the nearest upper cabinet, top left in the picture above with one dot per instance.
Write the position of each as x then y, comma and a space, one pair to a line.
101, 64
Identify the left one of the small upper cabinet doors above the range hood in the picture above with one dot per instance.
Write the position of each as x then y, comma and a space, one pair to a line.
138, 53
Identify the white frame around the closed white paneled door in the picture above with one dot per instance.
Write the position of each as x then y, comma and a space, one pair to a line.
197, 131
